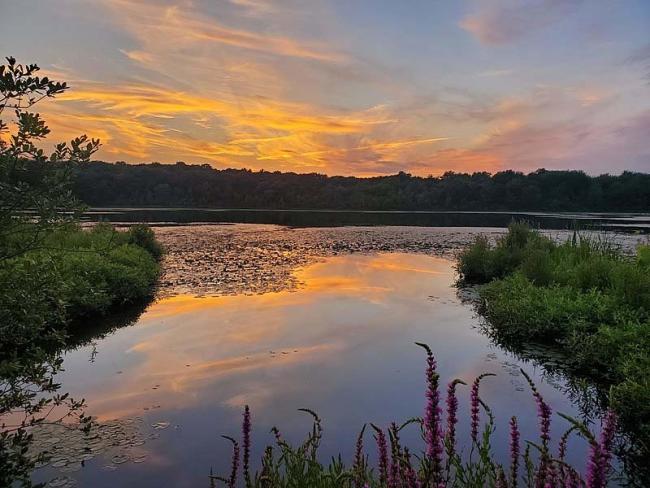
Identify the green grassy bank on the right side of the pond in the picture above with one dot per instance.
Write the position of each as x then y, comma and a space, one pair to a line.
584, 298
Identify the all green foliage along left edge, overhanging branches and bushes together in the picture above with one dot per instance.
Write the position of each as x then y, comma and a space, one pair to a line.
51, 272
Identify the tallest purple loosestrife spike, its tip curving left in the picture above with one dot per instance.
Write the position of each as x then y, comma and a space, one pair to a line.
432, 421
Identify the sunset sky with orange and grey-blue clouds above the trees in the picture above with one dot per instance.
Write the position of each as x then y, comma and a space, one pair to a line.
347, 87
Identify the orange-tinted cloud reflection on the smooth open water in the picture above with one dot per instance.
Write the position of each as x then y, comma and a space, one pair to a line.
235, 349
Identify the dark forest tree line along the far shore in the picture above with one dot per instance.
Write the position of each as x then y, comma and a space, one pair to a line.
101, 184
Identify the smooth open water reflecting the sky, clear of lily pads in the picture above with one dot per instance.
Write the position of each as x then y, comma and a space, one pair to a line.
341, 344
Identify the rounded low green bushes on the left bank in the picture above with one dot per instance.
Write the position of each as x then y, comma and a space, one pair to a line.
71, 274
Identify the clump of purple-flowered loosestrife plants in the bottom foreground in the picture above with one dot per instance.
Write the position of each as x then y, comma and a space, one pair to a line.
442, 463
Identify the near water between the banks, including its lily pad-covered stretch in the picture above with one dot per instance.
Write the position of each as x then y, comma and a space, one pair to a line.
331, 328
